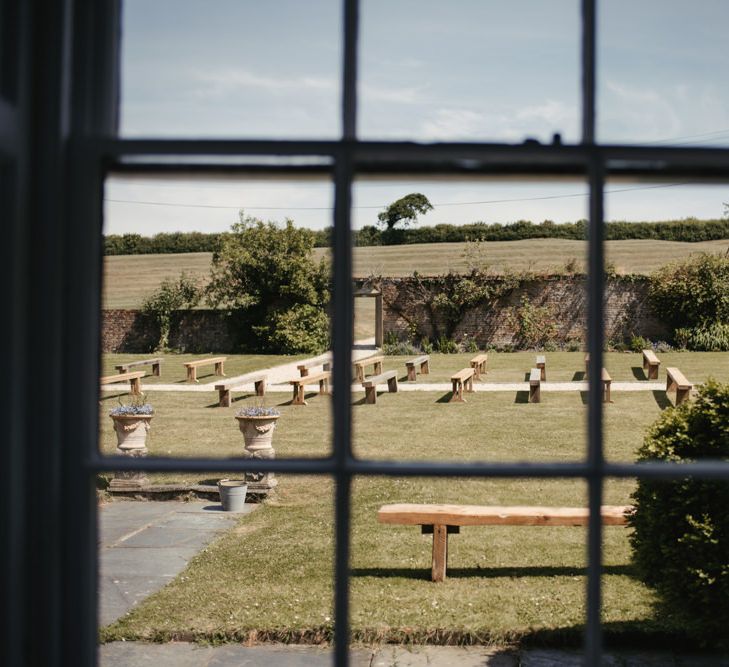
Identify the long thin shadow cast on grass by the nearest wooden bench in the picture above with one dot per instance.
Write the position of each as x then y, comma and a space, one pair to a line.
488, 572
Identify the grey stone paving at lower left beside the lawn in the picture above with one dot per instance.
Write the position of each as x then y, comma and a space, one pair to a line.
143, 546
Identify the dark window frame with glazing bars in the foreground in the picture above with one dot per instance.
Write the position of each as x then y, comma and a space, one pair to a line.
59, 138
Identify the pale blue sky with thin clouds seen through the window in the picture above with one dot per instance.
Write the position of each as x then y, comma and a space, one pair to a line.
464, 70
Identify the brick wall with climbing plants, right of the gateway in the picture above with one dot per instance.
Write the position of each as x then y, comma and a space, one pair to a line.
627, 310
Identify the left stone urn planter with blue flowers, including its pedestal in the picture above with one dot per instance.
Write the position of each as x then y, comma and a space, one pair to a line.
131, 425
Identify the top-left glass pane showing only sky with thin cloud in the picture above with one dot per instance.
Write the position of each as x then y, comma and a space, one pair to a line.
231, 69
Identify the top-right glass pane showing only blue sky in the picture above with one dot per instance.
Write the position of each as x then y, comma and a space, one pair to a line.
661, 72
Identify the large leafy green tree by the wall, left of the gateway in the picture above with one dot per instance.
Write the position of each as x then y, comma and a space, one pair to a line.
264, 275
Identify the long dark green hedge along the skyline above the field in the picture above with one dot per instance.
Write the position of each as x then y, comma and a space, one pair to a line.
689, 230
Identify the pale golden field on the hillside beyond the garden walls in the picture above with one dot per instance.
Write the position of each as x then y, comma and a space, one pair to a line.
129, 278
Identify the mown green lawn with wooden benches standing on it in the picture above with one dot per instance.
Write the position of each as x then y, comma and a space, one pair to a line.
270, 577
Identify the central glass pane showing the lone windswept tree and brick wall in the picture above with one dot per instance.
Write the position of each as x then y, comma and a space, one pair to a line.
472, 308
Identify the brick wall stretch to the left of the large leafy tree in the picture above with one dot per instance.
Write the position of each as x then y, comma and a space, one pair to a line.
195, 331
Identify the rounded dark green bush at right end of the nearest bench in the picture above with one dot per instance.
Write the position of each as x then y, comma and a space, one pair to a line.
681, 527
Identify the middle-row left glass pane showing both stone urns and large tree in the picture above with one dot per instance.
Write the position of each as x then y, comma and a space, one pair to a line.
217, 312
